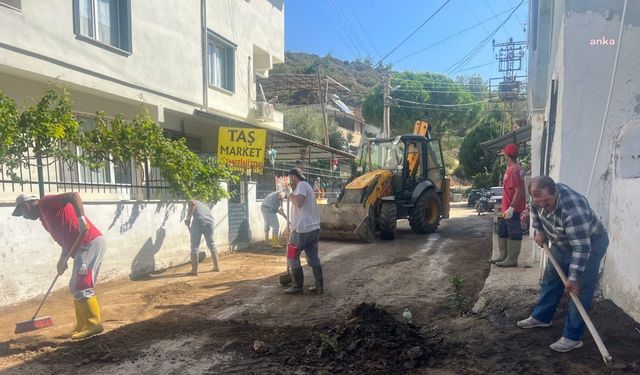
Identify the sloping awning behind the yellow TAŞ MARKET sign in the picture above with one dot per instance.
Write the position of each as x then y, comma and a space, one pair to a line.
290, 147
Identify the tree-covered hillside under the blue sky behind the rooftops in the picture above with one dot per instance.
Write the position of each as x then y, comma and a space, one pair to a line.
358, 76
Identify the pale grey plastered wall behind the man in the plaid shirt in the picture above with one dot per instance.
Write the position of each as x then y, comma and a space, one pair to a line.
584, 72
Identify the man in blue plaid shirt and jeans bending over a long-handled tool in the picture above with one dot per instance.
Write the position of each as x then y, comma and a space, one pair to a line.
578, 242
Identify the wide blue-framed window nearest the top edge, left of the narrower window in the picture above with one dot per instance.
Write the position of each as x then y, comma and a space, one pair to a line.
106, 21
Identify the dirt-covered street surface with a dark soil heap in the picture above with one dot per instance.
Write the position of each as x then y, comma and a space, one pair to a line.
238, 321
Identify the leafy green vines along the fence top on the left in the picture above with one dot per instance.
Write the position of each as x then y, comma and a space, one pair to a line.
48, 132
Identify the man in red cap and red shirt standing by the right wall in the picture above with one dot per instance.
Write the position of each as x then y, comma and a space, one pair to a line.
509, 230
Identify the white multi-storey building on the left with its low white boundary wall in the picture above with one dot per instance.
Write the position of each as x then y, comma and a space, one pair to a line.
192, 64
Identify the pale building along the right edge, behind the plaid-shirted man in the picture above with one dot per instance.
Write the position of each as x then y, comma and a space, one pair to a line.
584, 96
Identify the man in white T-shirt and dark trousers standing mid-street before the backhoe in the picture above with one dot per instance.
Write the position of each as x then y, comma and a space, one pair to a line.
305, 233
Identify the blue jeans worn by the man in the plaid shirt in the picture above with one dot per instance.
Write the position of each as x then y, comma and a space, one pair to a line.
552, 289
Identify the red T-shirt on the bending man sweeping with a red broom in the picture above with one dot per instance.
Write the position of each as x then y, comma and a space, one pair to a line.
61, 221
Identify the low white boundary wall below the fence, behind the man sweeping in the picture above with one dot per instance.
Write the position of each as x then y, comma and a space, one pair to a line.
141, 237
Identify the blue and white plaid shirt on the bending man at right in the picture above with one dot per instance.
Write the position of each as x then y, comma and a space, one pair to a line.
569, 227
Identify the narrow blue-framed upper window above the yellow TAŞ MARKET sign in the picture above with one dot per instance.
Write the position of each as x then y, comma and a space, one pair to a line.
221, 62
